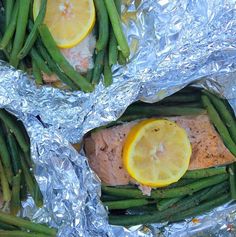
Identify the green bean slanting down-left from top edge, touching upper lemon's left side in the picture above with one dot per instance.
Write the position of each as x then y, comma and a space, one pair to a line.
33, 33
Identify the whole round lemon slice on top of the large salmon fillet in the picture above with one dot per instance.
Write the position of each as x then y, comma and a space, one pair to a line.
156, 152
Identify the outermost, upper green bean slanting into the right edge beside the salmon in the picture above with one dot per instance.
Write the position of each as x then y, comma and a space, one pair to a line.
226, 116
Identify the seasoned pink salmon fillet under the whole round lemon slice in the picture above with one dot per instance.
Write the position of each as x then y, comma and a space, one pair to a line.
104, 148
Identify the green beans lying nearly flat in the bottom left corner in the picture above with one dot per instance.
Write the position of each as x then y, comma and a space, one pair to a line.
11, 226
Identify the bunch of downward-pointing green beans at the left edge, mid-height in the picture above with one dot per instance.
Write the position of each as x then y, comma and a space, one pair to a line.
16, 177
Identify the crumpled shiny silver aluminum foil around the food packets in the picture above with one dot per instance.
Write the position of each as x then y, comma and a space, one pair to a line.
173, 43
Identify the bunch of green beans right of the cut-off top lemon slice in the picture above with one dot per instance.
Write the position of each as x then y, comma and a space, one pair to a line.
111, 41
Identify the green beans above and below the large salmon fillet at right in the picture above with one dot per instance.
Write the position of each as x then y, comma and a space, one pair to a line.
197, 191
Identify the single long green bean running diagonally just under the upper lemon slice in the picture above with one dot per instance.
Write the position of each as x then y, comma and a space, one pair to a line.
56, 55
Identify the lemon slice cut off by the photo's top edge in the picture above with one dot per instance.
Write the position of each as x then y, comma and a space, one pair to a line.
69, 21
